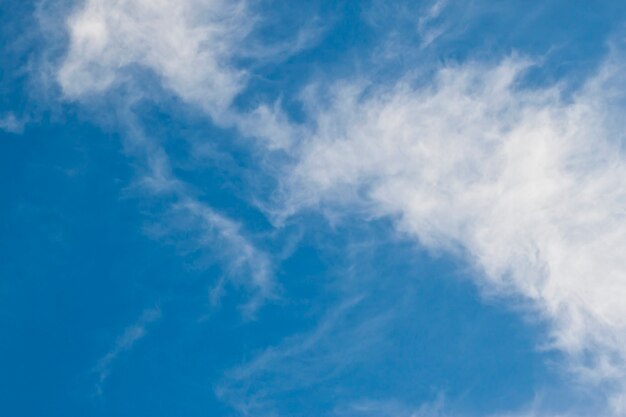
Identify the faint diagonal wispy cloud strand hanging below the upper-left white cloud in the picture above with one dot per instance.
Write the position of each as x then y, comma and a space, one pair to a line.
203, 227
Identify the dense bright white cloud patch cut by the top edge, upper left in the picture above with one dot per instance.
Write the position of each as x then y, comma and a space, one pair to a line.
189, 43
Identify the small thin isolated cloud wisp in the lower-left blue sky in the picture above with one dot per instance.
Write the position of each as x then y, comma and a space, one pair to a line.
125, 342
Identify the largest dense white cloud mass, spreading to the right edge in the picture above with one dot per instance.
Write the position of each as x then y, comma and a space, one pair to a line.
525, 184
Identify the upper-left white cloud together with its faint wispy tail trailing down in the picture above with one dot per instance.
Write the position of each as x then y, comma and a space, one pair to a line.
189, 45
